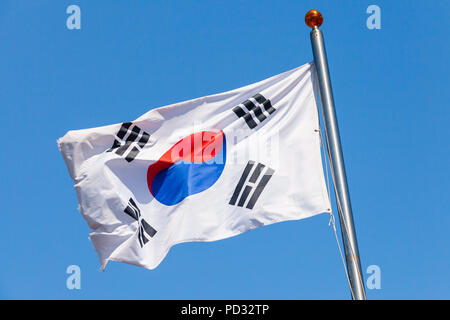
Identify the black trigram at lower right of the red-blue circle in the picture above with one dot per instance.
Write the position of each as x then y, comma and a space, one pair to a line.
251, 190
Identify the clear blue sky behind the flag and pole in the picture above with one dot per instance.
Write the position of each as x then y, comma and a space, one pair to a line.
392, 98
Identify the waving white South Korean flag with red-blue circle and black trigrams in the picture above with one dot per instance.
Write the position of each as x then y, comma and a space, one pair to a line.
200, 170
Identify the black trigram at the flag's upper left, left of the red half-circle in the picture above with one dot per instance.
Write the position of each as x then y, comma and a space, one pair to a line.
121, 146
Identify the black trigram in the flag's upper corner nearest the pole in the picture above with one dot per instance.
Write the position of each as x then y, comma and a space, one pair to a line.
257, 107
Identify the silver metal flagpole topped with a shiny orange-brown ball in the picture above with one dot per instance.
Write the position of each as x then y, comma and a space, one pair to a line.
314, 20
